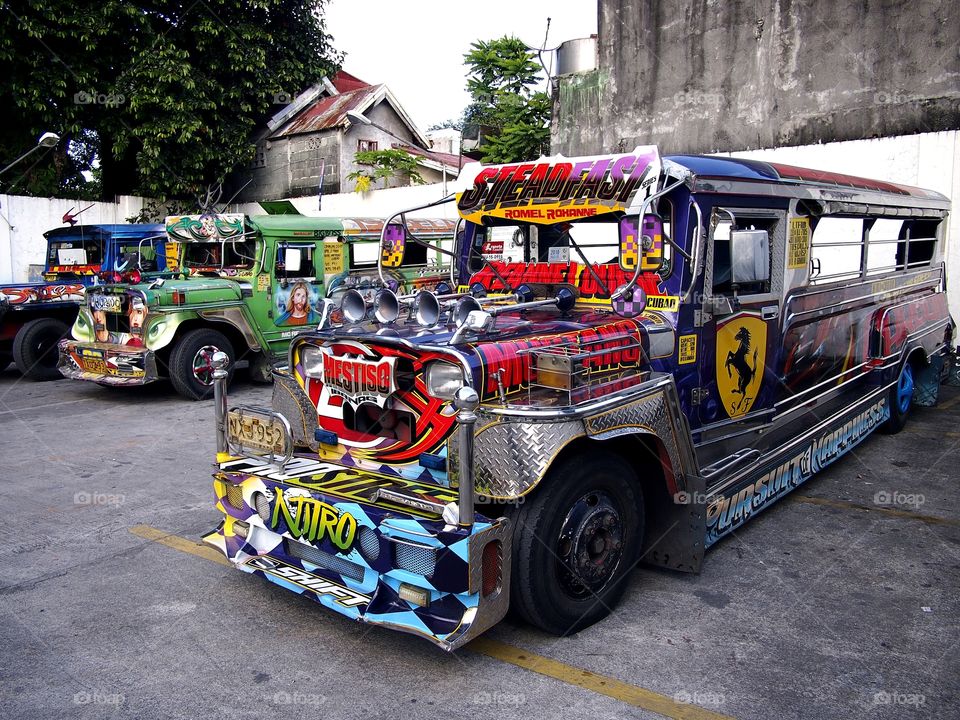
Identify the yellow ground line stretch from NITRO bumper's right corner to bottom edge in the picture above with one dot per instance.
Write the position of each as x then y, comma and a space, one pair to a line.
600, 684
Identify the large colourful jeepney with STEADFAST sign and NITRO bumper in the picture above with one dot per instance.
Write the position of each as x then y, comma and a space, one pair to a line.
644, 353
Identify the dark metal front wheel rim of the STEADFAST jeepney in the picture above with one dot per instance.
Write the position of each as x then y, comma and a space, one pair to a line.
590, 545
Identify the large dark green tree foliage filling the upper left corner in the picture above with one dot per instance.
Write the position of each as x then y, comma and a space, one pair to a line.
164, 94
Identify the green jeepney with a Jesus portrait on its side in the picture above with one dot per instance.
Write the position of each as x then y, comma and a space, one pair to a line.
245, 286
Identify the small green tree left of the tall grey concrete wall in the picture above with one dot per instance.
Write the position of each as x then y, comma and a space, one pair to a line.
502, 84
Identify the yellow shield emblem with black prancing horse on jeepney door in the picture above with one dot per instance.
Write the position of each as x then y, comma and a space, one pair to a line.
741, 352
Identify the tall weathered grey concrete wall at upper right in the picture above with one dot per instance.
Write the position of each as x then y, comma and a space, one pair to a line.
716, 76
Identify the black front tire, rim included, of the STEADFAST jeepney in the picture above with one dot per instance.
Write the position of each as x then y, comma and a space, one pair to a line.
566, 519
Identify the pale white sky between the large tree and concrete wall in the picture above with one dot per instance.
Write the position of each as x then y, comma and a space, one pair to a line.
416, 47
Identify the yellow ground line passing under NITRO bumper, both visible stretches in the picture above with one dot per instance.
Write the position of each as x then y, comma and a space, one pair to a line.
600, 684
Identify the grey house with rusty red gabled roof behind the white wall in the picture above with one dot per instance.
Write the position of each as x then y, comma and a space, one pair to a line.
320, 132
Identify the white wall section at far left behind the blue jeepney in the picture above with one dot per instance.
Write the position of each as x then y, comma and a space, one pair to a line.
23, 220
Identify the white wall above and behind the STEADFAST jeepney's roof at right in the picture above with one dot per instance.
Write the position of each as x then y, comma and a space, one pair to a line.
928, 160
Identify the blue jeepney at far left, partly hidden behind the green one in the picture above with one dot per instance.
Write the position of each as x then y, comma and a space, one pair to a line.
35, 316
